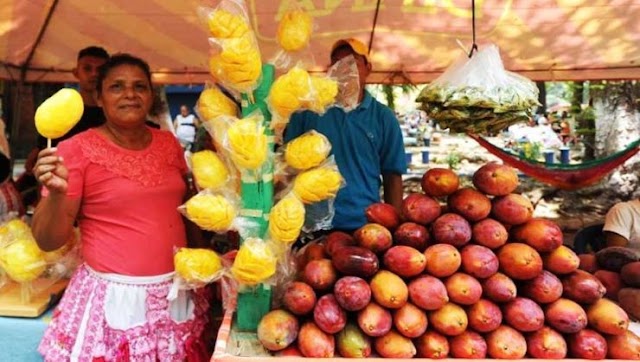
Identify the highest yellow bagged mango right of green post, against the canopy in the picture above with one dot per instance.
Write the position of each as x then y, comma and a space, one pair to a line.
294, 30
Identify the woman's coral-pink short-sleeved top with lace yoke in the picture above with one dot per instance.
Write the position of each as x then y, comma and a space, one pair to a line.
128, 216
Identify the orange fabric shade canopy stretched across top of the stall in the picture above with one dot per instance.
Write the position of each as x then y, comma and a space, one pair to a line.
412, 41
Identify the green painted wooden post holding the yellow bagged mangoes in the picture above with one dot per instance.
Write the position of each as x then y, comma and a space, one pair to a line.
257, 200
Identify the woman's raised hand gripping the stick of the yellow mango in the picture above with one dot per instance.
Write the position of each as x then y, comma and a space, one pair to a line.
51, 172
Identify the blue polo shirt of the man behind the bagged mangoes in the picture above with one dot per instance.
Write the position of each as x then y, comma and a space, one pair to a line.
366, 142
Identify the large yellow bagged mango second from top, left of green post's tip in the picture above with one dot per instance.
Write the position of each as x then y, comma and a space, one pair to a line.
239, 64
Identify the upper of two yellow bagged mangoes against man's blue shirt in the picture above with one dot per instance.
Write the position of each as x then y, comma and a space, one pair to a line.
307, 151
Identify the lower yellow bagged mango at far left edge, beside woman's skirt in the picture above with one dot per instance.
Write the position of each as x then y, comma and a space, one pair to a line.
22, 260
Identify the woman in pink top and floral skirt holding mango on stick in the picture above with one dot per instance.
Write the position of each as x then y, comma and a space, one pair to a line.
122, 182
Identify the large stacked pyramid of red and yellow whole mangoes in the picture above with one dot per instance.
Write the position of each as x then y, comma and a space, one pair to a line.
462, 272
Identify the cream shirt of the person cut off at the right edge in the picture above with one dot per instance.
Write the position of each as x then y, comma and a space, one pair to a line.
624, 219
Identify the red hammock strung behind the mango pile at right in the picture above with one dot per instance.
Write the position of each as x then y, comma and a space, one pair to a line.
566, 177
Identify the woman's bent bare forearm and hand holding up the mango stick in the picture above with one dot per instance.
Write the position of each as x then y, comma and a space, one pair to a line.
55, 214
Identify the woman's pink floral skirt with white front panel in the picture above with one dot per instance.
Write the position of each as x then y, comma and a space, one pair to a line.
111, 317
